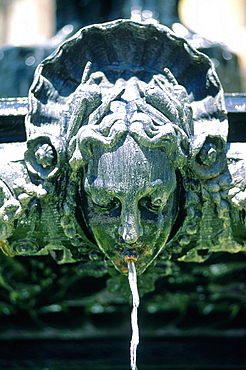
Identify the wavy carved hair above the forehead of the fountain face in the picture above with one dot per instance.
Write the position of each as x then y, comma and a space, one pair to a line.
168, 127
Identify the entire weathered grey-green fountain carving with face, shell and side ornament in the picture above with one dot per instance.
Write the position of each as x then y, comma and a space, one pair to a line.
125, 154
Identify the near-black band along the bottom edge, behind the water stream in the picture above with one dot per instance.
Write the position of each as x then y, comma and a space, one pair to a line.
103, 353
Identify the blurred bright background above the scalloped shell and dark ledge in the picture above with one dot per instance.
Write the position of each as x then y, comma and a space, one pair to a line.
31, 29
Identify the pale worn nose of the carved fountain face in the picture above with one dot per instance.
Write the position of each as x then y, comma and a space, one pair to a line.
130, 228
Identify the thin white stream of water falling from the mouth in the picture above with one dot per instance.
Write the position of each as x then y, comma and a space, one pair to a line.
132, 277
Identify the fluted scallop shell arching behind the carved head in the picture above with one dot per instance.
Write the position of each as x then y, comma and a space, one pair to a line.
123, 49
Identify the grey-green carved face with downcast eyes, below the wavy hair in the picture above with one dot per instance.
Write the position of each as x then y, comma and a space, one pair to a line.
131, 203
